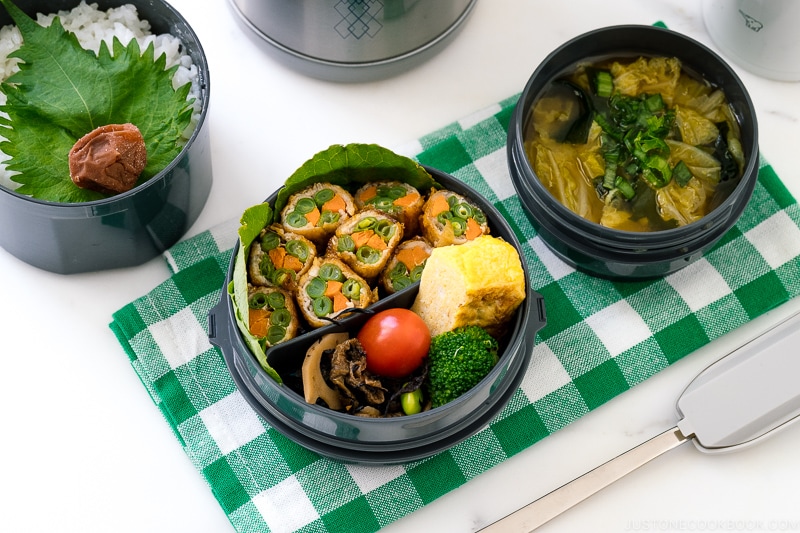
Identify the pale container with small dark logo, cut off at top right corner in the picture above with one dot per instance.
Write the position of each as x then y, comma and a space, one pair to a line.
759, 35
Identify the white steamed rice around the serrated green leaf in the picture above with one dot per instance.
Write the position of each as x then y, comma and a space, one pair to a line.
92, 26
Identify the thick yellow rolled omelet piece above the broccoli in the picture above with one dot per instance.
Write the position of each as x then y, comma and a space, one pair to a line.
479, 283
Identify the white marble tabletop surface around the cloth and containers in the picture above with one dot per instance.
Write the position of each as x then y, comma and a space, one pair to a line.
86, 450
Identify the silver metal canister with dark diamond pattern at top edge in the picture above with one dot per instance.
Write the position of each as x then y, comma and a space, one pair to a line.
353, 40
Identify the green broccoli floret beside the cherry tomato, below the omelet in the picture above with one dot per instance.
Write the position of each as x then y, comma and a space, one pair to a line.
458, 360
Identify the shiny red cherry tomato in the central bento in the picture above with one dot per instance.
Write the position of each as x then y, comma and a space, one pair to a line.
396, 341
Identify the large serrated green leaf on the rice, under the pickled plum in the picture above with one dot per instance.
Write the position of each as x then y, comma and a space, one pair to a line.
63, 92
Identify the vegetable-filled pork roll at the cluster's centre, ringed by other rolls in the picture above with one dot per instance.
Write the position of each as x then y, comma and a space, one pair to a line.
366, 241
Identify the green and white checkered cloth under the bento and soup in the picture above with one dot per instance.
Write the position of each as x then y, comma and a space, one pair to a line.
602, 338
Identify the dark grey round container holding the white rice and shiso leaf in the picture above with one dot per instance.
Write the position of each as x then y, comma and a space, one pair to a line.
130, 228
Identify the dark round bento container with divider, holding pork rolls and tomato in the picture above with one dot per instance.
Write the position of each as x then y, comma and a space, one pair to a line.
354, 439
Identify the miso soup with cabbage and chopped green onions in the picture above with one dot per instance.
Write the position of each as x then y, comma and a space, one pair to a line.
635, 144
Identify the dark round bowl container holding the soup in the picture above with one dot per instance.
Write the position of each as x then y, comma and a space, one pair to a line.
612, 253
